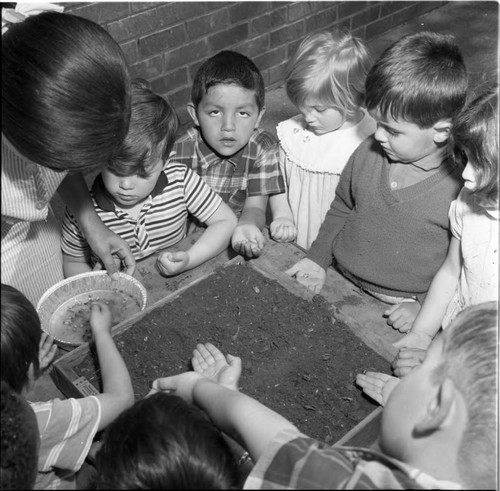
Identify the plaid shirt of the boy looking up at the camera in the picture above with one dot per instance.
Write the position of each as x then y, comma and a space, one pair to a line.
252, 171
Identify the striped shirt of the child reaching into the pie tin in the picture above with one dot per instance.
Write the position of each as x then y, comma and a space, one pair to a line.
67, 429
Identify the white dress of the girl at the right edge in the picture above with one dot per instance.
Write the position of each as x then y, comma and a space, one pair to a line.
477, 231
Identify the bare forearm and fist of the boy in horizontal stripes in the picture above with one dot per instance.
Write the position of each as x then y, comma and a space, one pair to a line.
215, 239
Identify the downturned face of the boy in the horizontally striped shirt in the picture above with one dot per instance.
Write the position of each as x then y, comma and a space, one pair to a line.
128, 191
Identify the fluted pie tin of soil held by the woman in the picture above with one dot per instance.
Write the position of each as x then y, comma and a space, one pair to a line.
64, 309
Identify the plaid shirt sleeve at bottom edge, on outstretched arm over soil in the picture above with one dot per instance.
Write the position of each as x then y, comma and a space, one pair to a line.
295, 461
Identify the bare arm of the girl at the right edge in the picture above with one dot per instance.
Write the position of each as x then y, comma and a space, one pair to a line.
441, 291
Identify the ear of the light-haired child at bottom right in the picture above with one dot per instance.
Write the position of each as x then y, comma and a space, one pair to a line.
438, 409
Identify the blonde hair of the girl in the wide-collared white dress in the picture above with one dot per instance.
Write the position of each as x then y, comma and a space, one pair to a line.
329, 68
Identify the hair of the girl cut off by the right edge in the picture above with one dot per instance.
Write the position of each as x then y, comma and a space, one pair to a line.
475, 132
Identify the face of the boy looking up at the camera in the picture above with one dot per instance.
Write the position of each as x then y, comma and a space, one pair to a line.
227, 116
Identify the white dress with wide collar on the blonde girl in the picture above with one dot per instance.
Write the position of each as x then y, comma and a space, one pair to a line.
312, 165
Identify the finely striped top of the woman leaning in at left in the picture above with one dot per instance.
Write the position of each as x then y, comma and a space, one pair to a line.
31, 254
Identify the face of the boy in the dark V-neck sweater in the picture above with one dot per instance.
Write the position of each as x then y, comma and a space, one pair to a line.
406, 143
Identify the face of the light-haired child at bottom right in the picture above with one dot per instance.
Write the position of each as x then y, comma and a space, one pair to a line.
409, 403
